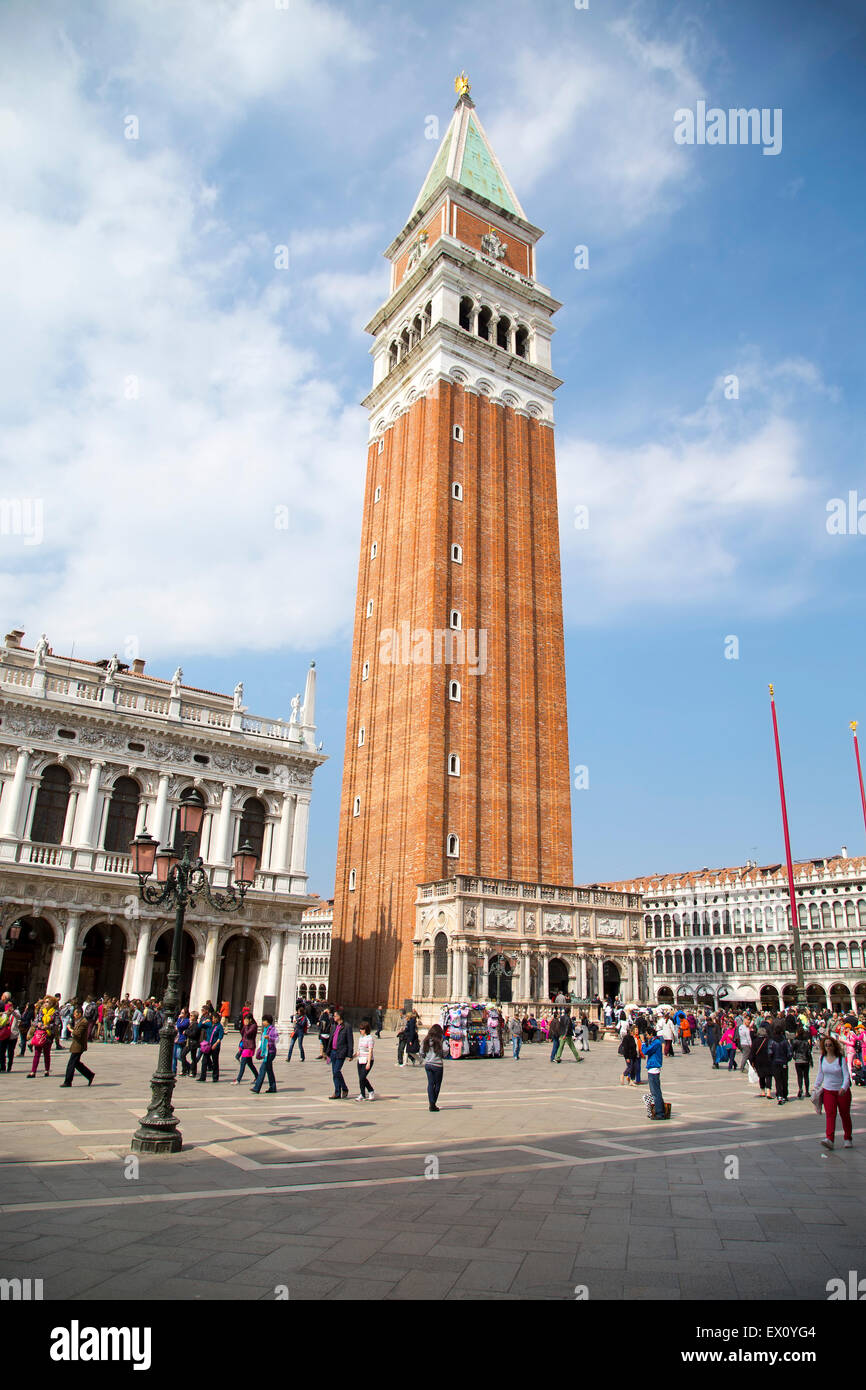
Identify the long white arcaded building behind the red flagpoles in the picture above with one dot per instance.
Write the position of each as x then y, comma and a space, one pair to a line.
725, 935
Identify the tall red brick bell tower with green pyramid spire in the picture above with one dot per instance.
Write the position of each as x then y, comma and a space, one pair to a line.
457, 740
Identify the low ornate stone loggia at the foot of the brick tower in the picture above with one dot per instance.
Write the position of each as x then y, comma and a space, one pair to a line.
523, 943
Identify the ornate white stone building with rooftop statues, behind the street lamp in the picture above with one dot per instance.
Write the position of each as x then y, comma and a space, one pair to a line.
92, 754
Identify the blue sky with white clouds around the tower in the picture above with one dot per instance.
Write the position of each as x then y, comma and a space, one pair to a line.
168, 389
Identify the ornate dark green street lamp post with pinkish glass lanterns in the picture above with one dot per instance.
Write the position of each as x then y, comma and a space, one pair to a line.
180, 882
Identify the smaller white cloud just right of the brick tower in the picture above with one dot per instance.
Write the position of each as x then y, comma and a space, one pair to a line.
707, 515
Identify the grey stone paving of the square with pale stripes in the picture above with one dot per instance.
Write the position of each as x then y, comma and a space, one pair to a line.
533, 1181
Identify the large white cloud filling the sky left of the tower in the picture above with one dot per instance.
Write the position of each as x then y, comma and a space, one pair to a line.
165, 395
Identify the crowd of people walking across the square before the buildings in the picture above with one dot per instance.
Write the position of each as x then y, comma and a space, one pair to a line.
761, 1045
